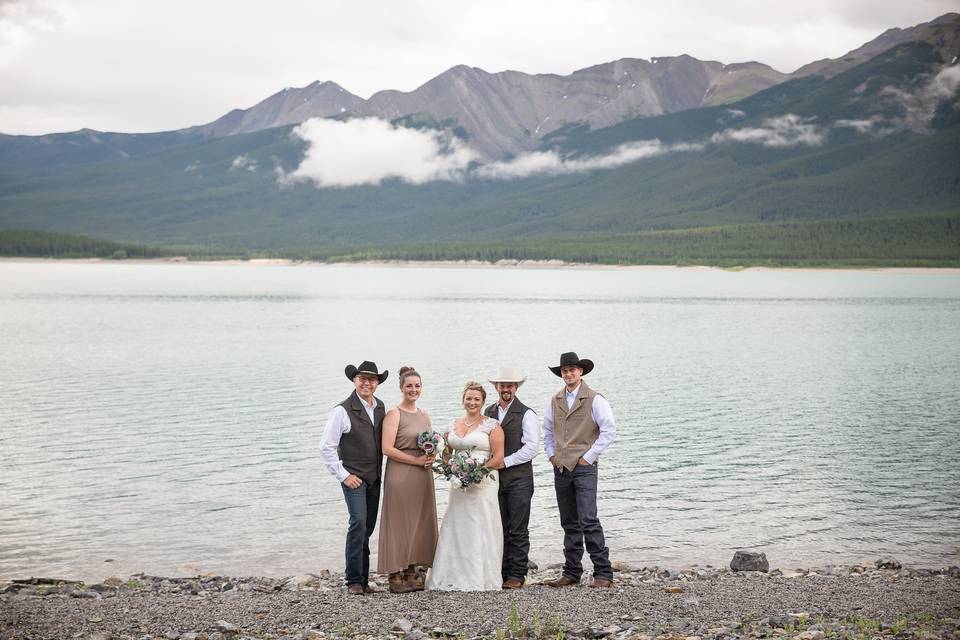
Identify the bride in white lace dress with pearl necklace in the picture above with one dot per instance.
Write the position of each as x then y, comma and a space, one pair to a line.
470, 547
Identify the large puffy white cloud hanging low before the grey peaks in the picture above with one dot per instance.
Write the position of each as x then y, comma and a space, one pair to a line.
369, 151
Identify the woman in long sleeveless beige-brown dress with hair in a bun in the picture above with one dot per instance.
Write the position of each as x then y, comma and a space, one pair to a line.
408, 528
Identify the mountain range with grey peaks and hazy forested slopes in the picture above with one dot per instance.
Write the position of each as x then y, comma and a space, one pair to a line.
621, 147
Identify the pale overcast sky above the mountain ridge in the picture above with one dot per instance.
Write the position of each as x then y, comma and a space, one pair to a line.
133, 65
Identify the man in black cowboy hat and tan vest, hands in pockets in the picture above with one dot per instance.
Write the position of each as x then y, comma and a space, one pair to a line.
577, 427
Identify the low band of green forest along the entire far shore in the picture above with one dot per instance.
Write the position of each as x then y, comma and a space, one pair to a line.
917, 241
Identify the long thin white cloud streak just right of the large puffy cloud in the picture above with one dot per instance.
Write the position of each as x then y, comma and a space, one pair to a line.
552, 163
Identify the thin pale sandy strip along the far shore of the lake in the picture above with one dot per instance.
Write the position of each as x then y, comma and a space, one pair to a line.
470, 264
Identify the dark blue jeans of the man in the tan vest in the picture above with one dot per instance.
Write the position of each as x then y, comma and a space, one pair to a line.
577, 502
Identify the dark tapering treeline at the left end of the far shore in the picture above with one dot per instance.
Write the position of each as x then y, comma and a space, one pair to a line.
44, 244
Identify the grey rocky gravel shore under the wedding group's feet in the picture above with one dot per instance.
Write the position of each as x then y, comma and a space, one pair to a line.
650, 603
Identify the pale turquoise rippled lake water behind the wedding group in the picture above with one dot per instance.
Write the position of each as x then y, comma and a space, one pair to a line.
165, 417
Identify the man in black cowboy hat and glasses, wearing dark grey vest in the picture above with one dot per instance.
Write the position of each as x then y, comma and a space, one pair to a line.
352, 451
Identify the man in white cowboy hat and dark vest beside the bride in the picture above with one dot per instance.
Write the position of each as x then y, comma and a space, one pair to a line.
521, 433
